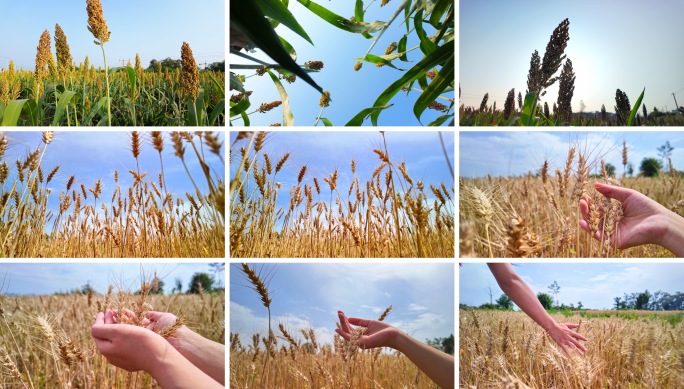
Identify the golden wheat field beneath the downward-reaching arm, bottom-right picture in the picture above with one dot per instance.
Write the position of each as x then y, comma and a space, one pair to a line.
508, 350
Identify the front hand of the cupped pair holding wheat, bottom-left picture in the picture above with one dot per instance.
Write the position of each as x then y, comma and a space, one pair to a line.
122, 344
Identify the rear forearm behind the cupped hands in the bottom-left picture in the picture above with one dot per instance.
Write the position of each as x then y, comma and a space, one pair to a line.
207, 355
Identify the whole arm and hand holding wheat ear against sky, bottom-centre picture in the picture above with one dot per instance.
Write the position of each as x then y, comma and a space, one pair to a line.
437, 365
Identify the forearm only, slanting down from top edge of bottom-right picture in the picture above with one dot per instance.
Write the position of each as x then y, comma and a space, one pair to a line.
521, 294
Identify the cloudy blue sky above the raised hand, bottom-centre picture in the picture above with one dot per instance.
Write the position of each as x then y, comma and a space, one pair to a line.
309, 296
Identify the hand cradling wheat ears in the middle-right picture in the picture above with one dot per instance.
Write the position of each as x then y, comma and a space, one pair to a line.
644, 220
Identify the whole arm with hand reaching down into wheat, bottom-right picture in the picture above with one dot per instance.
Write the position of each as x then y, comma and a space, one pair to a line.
521, 294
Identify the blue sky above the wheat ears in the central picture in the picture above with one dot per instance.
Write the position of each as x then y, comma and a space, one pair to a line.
322, 152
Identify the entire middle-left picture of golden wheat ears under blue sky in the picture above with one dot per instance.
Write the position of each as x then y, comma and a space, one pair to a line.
117, 208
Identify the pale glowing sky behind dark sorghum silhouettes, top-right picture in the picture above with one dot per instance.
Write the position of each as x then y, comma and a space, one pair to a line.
625, 44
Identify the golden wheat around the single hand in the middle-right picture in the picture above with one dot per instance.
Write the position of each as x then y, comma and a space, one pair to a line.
537, 215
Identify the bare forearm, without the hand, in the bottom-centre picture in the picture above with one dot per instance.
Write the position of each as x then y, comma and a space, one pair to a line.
437, 365
